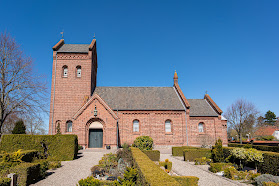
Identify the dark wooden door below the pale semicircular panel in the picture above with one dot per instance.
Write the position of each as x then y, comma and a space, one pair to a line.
95, 138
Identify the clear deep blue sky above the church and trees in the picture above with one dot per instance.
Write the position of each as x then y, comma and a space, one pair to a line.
229, 48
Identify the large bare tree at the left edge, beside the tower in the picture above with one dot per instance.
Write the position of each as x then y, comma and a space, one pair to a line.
21, 91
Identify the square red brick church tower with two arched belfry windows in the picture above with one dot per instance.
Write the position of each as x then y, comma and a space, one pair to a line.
74, 76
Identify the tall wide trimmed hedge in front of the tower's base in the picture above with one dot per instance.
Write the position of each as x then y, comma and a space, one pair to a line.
55, 147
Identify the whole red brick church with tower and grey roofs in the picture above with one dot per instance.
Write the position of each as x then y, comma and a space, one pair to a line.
103, 116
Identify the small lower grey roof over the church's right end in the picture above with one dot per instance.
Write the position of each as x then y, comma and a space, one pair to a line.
200, 107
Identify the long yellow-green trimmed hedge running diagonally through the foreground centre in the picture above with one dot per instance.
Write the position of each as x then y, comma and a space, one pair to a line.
151, 174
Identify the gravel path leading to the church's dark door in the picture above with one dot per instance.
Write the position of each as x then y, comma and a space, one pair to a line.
72, 171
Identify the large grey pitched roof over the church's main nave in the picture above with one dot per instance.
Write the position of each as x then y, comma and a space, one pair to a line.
140, 98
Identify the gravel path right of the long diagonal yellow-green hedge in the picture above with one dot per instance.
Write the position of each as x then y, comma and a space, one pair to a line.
206, 178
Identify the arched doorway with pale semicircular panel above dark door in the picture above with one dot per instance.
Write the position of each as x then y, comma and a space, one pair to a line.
95, 135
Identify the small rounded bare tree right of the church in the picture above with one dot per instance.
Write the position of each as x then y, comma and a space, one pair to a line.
238, 115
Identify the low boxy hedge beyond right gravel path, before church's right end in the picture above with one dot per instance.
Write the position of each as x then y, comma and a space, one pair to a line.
192, 154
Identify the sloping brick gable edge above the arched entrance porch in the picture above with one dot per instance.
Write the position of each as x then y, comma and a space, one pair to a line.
95, 96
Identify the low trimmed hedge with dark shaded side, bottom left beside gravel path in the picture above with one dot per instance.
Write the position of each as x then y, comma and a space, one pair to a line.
27, 173
